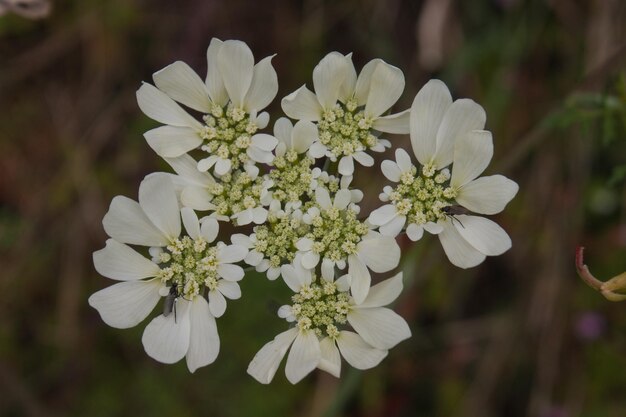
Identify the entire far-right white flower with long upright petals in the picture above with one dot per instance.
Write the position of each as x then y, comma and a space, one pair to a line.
439, 199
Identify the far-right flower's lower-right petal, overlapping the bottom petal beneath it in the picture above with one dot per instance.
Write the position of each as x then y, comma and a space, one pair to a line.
484, 235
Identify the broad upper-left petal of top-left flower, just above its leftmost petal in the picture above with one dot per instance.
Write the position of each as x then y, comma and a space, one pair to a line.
181, 83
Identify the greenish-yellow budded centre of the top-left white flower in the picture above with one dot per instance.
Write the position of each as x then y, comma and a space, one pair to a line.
227, 133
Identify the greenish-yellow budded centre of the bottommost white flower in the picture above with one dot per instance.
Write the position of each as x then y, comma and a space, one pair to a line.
321, 307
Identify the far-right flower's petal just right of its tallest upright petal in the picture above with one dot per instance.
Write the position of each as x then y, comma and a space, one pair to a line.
462, 116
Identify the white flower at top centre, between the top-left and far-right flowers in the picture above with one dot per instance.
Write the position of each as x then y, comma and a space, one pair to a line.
348, 110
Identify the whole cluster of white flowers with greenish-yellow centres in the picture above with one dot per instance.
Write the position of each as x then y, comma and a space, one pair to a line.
290, 194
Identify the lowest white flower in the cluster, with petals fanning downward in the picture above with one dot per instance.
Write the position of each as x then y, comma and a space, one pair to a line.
322, 311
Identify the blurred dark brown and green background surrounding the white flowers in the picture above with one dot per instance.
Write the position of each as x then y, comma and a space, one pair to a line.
519, 335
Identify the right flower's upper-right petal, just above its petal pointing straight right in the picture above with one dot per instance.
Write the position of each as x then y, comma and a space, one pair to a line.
472, 153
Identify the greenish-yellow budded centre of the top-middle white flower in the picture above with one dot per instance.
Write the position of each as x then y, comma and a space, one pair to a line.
345, 129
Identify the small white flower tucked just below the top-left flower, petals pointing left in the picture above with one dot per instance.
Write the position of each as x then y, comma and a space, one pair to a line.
241, 195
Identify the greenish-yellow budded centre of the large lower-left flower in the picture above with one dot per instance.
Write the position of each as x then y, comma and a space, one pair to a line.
190, 265
